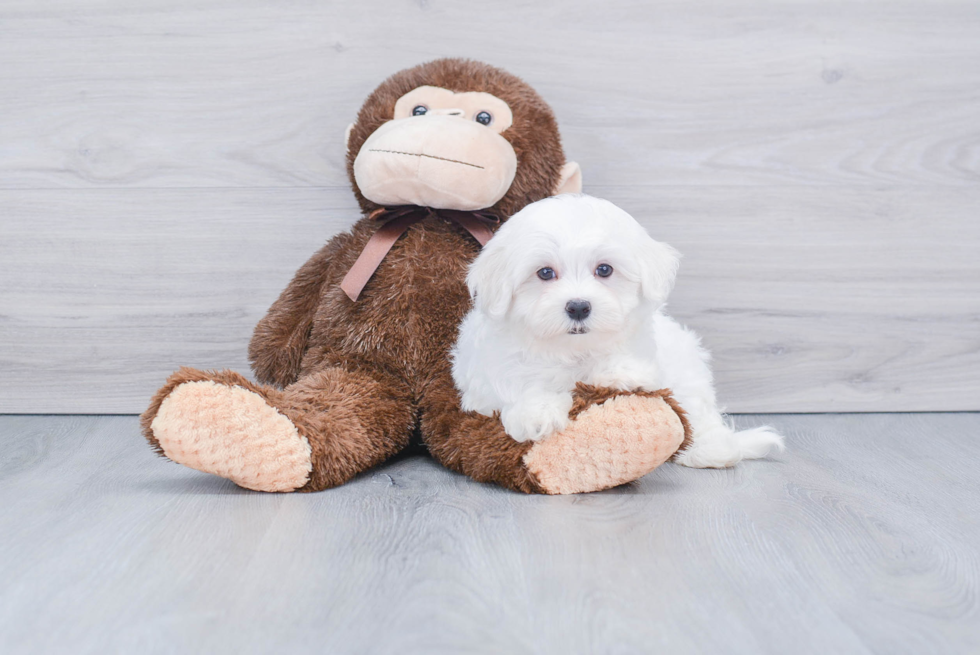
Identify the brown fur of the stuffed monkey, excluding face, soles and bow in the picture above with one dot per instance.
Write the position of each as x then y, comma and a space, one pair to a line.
358, 378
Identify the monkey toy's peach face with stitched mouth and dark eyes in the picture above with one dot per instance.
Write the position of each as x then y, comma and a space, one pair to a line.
441, 150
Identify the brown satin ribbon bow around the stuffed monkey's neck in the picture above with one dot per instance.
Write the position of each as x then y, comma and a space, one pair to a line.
397, 221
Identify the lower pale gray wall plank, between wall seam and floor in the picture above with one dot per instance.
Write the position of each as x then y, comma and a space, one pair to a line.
844, 299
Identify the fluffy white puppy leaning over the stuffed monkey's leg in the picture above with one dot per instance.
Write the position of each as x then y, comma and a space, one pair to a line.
571, 289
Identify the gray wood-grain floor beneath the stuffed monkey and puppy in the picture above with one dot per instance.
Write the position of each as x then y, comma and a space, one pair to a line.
863, 537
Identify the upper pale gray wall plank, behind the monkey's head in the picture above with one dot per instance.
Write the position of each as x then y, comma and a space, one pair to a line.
248, 93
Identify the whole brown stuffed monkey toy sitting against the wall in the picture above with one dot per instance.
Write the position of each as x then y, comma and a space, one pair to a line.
353, 358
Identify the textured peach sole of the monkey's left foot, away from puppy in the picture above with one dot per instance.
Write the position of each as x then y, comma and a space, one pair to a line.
232, 432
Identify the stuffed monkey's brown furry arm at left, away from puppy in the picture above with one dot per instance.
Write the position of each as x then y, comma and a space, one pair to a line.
280, 338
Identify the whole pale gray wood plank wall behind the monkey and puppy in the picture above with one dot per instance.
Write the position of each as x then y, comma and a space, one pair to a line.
165, 166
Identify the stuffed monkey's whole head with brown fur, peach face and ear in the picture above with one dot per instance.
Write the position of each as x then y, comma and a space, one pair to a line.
457, 134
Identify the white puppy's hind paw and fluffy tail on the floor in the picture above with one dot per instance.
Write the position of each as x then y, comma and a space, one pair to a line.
721, 446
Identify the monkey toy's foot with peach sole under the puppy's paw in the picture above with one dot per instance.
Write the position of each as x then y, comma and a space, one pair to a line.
610, 442
